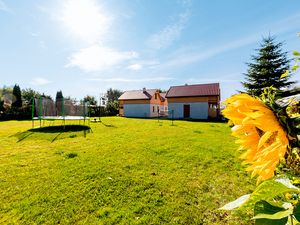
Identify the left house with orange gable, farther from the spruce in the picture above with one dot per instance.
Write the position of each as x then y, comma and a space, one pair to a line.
142, 103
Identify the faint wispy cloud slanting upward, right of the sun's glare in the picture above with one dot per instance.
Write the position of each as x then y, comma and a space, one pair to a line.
168, 34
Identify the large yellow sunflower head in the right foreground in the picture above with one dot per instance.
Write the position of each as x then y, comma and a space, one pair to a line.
259, 133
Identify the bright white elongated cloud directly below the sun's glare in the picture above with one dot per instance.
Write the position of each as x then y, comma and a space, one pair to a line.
96, 58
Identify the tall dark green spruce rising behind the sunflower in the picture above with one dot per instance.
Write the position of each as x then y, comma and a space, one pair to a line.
266, 68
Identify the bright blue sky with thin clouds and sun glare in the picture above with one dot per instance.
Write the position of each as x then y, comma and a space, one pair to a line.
84, 47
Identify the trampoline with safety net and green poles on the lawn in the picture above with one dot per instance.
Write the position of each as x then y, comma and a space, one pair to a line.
45, 109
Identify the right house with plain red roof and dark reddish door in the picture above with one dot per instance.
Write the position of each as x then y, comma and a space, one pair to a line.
197, 101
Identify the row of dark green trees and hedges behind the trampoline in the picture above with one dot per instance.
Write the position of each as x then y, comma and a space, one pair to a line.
17, 104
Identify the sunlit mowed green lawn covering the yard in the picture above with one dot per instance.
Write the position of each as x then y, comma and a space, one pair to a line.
122, 171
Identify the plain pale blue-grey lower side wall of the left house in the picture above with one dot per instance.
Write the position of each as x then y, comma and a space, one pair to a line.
137, 110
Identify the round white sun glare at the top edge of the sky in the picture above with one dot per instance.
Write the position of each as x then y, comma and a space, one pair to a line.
85, 19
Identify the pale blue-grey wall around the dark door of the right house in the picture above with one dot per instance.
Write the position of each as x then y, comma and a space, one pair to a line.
198, 110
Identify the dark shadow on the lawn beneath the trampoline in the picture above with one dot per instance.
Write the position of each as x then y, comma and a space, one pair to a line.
54, 133
